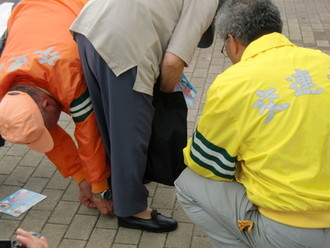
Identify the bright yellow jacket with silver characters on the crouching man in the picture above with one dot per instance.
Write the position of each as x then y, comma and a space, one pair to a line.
266, 123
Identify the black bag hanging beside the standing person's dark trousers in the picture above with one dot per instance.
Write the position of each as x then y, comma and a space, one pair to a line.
168, 137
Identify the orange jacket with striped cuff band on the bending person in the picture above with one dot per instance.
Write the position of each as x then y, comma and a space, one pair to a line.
41, 51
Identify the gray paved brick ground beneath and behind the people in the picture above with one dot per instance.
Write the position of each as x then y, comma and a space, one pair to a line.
67, 223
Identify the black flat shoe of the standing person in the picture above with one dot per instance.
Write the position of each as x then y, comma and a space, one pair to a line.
158, 223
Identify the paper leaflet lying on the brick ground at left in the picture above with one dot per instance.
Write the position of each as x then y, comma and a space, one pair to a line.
19, 202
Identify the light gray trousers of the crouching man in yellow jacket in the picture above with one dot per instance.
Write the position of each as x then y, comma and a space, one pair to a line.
215, 207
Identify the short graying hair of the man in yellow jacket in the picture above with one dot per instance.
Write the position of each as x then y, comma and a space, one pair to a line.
247, 20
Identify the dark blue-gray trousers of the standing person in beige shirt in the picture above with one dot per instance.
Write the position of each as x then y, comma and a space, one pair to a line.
124, 117
